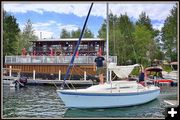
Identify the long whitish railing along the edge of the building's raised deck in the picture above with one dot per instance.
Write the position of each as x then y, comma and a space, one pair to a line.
54, 59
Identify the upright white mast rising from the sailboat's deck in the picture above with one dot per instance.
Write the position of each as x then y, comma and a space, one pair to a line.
107, 42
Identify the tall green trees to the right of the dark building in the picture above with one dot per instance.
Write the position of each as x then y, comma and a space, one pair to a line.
138, 42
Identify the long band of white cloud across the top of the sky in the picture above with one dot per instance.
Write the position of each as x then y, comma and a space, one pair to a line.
155, 10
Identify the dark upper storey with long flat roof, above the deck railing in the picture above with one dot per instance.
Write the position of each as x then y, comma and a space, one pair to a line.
66, 47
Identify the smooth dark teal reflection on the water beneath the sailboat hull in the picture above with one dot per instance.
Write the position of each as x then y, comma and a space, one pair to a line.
126, 112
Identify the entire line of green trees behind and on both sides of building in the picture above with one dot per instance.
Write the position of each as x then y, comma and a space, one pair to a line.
131, 42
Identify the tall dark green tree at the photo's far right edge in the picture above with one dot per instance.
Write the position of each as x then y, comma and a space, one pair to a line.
169, 35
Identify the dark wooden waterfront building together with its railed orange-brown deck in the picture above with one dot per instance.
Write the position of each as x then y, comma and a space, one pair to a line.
49, 57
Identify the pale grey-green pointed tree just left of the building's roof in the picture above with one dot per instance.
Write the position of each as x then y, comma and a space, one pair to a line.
28, 35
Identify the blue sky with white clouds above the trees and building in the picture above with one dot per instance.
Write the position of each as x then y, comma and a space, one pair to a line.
49, 18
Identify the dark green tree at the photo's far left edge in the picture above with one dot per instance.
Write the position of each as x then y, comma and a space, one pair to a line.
10, 34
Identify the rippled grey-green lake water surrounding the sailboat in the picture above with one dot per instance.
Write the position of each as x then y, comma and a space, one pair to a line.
43, 102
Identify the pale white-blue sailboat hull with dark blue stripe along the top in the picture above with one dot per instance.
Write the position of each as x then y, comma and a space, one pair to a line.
106, 100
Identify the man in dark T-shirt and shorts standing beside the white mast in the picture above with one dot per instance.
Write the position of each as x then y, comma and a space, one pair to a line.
99, 67
